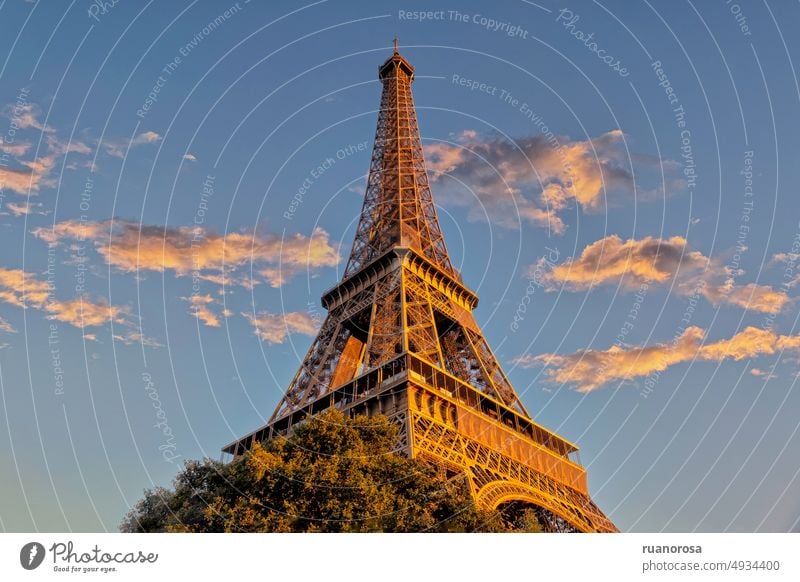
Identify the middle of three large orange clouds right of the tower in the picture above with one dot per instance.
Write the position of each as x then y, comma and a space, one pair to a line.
634, 263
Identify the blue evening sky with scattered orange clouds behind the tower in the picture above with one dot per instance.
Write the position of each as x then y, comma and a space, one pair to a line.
616, 181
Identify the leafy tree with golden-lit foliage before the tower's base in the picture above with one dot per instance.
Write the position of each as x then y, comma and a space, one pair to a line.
334, 474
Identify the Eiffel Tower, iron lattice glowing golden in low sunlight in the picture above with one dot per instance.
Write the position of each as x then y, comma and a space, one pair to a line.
400, 339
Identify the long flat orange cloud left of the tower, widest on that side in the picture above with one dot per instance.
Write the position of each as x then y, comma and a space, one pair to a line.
132, 247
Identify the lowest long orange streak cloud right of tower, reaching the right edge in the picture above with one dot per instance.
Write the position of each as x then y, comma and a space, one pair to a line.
588, 370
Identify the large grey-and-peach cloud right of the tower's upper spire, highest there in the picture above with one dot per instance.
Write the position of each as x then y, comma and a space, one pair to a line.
533, 179
